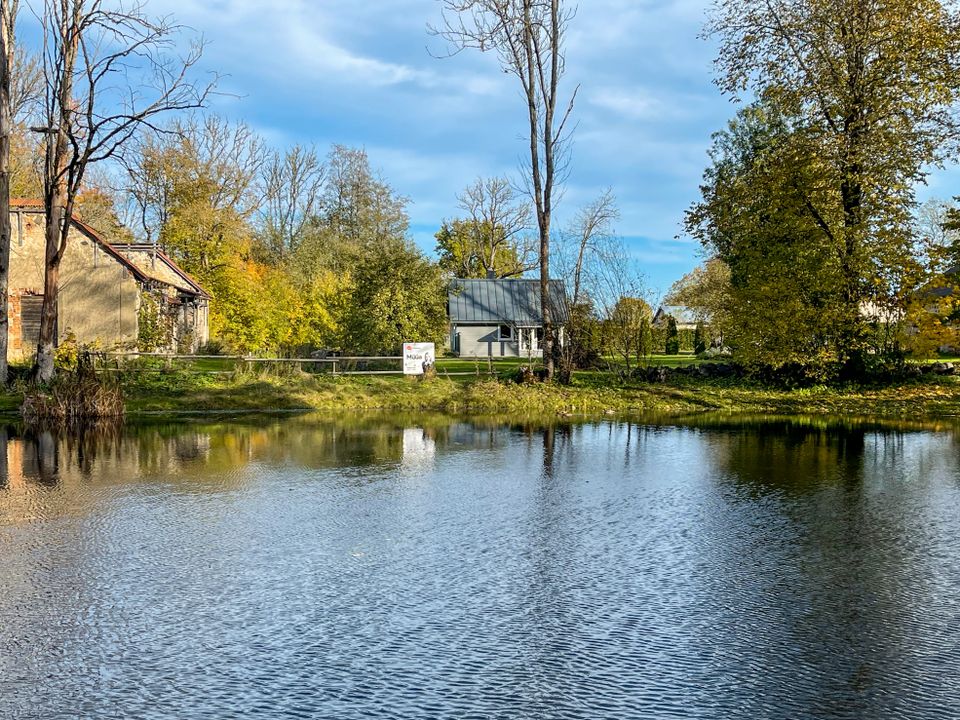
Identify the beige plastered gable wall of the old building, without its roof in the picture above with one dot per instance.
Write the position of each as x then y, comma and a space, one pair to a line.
99, 298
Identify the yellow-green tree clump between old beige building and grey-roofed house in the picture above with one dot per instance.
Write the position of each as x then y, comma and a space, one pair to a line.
324, 263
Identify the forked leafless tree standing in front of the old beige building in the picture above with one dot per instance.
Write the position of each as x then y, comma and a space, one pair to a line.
109, 70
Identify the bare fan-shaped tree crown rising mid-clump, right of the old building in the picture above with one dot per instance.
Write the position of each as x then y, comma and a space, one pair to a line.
292, 186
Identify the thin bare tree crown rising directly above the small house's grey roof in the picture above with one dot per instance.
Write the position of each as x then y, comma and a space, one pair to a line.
498, 226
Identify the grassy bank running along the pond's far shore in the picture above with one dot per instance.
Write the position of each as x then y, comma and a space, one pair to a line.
177, 391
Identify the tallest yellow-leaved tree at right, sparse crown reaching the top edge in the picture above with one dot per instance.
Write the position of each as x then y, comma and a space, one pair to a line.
872, 87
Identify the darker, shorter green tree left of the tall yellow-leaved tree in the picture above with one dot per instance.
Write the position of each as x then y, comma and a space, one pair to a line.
776, 282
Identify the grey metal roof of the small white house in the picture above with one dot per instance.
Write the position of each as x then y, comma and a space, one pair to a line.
511, 301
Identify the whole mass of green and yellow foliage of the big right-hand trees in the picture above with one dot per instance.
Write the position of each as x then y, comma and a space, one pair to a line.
810, 193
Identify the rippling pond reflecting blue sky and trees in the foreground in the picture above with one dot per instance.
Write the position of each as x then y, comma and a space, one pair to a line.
433, 567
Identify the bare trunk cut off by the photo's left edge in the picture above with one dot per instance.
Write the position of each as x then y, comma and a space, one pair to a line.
8, 54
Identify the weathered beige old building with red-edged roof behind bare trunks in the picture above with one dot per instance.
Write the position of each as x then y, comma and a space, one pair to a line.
109, 294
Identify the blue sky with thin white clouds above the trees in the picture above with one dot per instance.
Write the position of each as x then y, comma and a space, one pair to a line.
360, 72
